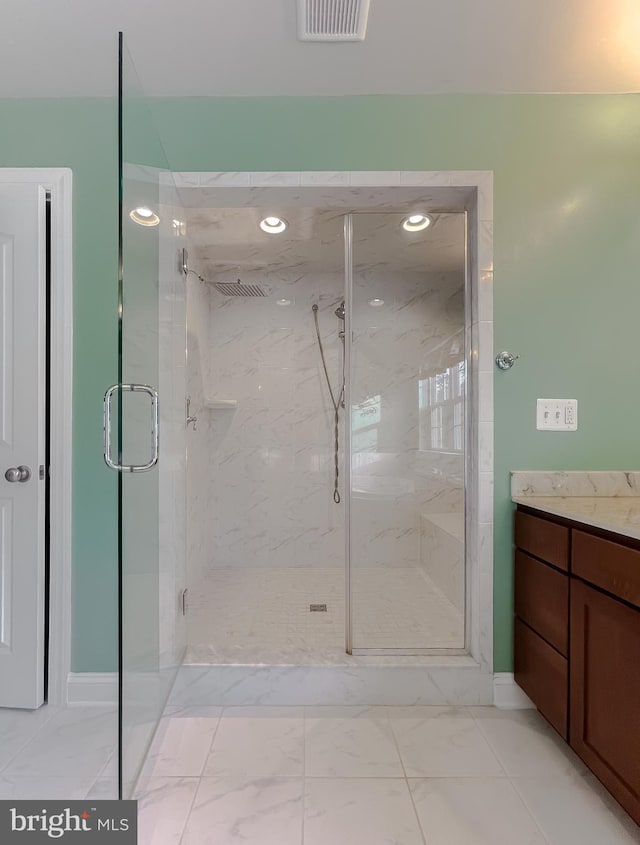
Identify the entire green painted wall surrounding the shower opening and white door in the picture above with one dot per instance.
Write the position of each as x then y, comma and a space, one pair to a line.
567, 245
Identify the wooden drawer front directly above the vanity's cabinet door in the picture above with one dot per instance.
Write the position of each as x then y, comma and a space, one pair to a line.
608, 565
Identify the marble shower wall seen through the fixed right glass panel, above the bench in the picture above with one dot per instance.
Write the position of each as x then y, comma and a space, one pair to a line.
404, 468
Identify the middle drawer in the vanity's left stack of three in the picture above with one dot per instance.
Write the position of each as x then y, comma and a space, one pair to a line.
542, 600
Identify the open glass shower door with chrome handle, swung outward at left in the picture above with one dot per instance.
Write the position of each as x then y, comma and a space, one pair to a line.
148, 399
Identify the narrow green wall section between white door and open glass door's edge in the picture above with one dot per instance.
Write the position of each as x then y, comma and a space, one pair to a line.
82, 135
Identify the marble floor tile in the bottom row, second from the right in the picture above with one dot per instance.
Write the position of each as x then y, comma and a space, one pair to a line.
473, 811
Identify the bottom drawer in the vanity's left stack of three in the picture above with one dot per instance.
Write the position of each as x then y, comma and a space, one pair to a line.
542, 674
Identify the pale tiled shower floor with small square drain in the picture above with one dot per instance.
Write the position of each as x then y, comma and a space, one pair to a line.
269, 609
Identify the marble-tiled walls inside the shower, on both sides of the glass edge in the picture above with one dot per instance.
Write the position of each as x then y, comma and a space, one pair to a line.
261, 475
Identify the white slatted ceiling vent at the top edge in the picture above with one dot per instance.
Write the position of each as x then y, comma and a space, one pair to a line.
332, 20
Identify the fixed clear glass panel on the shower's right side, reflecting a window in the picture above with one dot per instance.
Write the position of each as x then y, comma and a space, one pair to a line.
407, 391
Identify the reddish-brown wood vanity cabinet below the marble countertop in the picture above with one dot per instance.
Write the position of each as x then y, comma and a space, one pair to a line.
577, 642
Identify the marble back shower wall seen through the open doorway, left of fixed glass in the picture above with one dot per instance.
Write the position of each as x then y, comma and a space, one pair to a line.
271, 459
